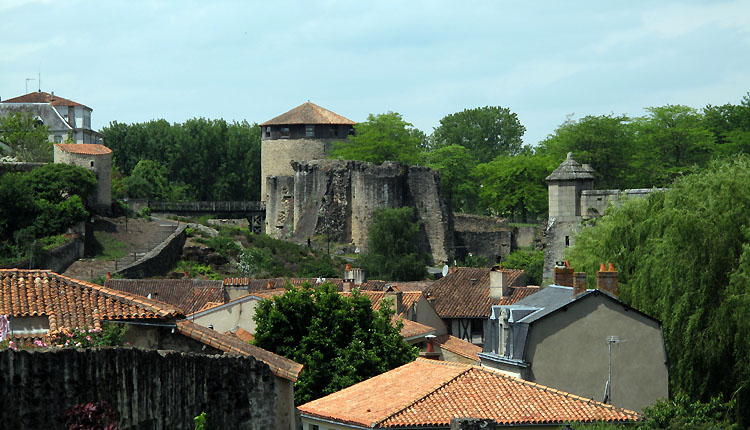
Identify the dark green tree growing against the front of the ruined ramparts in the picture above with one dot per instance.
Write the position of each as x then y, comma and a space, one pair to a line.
393, 247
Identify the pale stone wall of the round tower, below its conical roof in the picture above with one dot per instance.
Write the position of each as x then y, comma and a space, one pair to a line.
277, 154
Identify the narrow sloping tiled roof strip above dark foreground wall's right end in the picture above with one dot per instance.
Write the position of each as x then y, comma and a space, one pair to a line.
280, 366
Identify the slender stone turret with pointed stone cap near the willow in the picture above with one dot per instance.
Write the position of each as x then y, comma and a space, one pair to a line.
565, 185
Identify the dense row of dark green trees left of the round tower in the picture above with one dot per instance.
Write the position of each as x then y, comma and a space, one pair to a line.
201, 159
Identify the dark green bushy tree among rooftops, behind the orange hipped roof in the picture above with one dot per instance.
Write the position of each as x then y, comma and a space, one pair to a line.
339, 339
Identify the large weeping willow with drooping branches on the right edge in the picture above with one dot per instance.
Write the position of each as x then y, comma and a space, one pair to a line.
683, 257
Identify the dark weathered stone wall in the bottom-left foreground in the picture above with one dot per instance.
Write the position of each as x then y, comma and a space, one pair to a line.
149, 389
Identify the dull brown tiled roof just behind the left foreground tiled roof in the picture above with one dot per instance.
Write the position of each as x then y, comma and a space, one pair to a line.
190, 295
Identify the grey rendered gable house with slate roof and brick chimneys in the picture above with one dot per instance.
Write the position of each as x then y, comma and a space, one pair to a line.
586, 342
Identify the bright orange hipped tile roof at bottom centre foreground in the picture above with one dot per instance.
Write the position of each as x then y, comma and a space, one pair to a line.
431, 393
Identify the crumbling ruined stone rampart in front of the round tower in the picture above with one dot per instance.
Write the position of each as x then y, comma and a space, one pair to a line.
338, 197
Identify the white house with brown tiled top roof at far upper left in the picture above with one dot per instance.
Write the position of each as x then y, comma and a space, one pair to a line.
64, 118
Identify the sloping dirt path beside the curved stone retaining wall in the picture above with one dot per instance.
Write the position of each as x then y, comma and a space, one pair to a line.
139, 237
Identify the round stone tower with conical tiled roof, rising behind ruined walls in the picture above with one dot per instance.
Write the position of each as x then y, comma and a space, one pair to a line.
304, 133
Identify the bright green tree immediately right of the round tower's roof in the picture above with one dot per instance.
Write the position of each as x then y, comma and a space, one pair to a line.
383, 137
